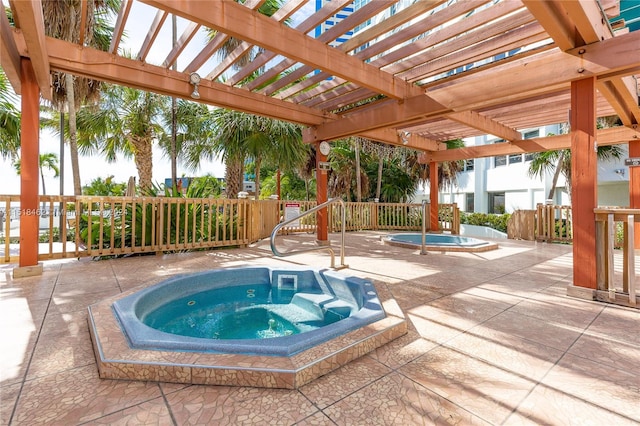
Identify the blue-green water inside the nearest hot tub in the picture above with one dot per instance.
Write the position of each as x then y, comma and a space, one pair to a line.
239, 312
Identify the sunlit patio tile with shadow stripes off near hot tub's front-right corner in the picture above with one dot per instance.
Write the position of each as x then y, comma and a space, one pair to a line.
487, 391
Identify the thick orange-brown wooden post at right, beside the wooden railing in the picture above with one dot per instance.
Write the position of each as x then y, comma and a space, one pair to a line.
583, 181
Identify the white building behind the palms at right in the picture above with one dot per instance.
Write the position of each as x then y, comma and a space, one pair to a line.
502, 184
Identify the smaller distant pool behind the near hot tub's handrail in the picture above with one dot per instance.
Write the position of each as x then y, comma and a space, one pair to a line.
440, 242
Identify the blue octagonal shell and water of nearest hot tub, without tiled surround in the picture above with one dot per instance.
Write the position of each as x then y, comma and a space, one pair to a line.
258, 310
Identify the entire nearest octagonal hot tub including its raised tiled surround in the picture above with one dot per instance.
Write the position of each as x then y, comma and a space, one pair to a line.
333, 319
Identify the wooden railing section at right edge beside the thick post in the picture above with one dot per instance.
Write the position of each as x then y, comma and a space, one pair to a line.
618, 281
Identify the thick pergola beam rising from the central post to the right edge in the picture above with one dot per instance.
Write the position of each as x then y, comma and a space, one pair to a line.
515, 81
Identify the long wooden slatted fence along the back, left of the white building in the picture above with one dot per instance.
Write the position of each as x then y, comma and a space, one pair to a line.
80, 226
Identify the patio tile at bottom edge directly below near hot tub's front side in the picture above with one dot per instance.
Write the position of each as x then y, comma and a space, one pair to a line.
222, 405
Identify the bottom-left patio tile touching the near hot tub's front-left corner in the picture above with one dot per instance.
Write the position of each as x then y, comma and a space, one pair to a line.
78, 395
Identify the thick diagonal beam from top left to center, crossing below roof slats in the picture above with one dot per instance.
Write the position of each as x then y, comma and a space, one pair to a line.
239, 21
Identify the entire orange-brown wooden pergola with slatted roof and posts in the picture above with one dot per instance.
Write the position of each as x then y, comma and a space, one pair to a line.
434, 71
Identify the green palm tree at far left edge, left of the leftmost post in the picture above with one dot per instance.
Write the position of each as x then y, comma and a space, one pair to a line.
9, 120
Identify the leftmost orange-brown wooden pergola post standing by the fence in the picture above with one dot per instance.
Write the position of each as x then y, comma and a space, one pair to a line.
29, 173
